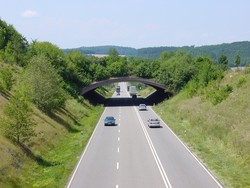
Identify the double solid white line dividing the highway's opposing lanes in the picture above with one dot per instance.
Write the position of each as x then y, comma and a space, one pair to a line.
157, 160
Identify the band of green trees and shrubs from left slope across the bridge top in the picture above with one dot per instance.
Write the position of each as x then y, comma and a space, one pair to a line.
40, 74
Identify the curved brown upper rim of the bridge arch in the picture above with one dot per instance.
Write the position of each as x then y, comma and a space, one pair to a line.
92, 87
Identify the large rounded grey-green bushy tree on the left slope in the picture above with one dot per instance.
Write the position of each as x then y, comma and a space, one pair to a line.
45, 85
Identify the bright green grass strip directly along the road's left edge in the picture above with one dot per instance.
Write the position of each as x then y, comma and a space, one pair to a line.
63, 157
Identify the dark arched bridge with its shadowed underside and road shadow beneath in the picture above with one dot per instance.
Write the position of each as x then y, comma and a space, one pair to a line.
159, 95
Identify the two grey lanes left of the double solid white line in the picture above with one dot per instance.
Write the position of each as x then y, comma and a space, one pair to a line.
118, 156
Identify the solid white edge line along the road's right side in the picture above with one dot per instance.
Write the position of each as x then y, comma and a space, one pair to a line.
195, 157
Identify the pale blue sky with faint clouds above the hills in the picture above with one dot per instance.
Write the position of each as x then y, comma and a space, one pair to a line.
131, 23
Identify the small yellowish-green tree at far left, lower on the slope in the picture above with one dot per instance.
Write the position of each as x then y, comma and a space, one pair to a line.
18, 124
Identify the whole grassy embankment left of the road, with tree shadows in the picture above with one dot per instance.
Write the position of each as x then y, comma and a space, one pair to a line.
61, 138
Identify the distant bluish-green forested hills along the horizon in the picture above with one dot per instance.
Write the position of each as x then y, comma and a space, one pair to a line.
231, 50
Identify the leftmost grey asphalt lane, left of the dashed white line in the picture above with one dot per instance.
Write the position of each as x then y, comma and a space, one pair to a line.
98, 165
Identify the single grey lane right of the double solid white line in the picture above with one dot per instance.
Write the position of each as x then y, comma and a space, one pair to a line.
183, 168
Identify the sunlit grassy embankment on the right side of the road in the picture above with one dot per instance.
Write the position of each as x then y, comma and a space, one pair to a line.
218, 134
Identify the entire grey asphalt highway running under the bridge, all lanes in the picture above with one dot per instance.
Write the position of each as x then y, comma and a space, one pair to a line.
132, 155
